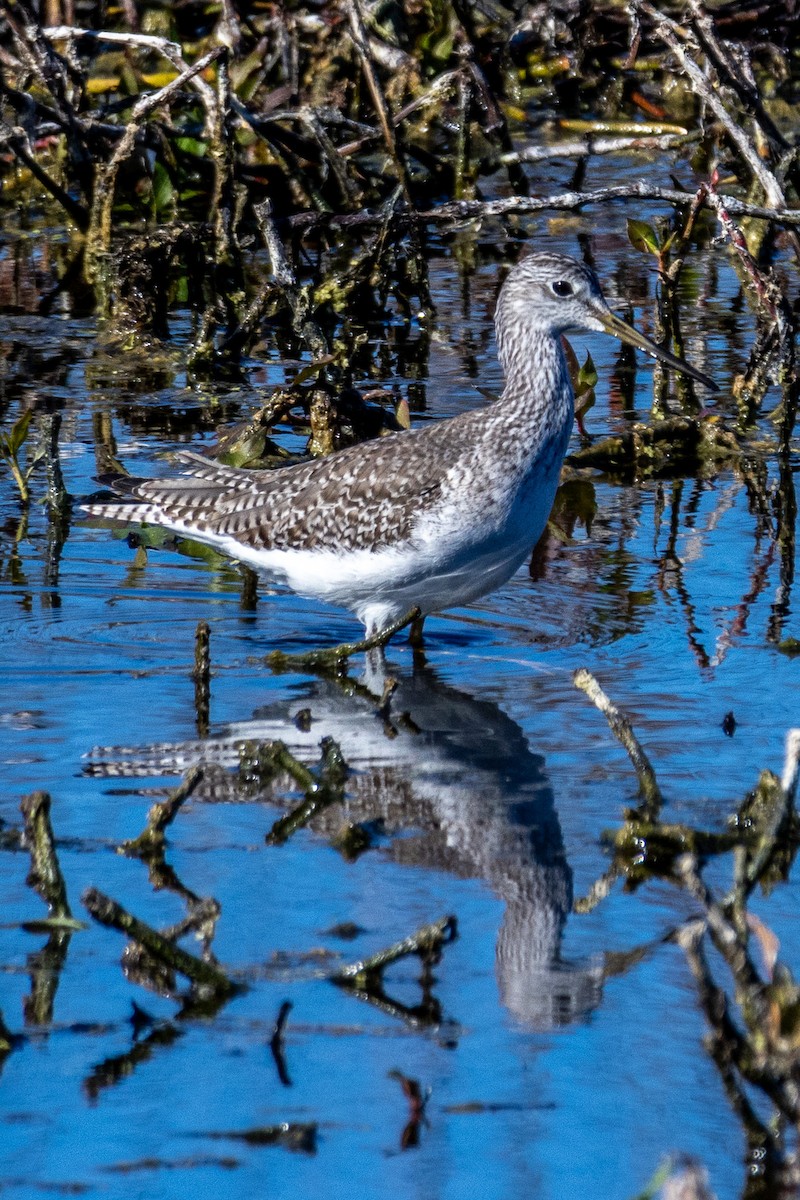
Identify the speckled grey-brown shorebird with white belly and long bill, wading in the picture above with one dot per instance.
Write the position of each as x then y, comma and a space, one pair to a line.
431, 519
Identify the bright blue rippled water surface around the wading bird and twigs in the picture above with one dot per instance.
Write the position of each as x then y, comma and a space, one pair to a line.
550, 1075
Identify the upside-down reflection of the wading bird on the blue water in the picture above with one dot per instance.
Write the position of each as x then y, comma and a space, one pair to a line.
454, 776
